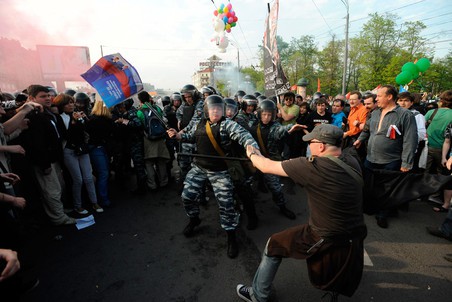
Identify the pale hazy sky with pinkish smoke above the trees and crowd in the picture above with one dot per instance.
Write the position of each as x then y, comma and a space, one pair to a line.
166, 39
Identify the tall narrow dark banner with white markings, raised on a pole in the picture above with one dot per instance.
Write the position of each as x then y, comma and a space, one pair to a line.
275, 79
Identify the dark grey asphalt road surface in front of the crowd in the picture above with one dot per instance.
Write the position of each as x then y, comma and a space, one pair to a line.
136, 252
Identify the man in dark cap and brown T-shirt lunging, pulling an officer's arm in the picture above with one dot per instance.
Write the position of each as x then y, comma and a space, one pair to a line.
336, 228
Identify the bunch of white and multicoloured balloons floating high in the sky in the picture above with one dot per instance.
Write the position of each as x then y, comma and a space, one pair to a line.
224, 20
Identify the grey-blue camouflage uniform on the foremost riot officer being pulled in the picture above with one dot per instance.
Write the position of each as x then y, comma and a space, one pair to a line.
214, 170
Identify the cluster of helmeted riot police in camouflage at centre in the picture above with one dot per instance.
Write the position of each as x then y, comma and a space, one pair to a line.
214, 132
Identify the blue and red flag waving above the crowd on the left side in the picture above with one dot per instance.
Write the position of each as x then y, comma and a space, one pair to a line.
114, 78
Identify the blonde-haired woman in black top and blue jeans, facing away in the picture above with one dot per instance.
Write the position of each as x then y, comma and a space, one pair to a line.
100, 129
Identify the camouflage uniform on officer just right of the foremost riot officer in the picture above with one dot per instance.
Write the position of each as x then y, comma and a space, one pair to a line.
272, 136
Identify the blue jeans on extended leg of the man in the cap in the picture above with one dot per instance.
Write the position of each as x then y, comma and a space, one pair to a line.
264, 276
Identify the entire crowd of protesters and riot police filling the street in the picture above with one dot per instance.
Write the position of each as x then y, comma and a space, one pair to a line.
60, 151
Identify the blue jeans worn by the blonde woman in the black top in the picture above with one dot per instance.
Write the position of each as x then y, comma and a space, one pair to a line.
100, 162
